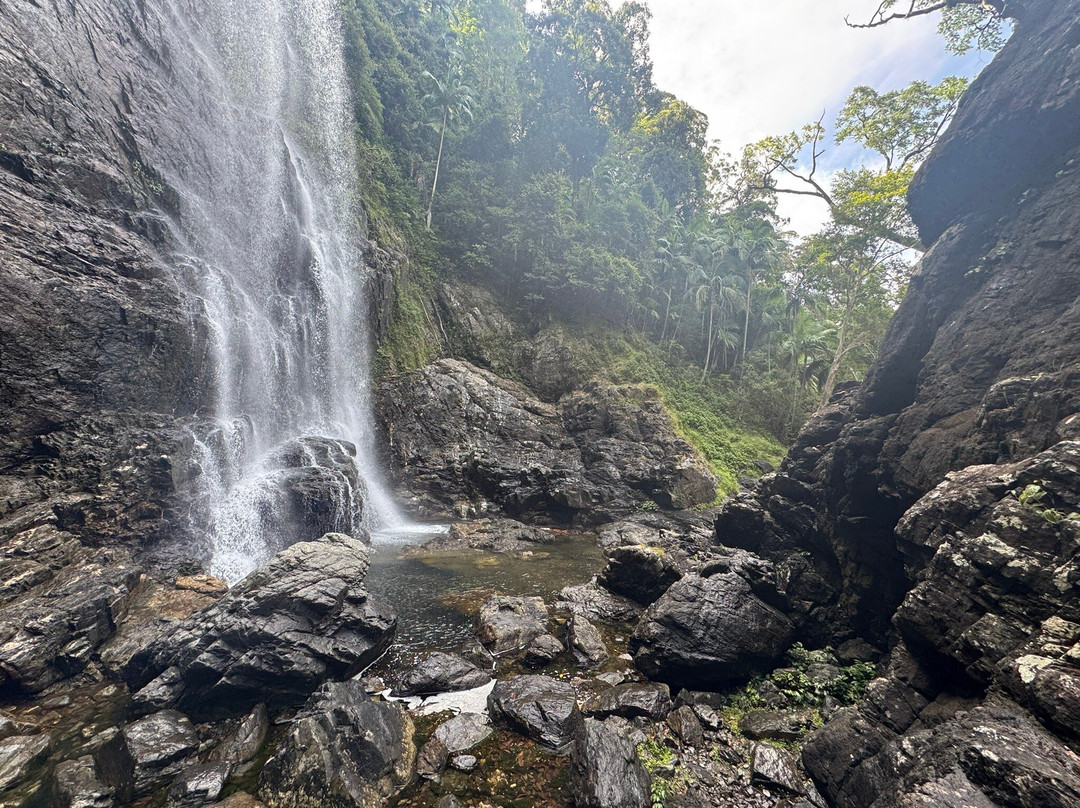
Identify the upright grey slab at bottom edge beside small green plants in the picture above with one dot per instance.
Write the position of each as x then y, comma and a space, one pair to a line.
605, 772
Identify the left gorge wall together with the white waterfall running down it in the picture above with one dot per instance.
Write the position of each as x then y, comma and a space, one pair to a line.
186, 276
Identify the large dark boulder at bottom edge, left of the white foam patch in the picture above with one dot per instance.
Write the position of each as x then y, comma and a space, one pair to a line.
343, 751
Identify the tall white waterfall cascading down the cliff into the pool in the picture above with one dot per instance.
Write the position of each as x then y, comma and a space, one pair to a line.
274, 235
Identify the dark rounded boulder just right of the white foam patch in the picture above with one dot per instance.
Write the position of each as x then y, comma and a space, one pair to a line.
538, 707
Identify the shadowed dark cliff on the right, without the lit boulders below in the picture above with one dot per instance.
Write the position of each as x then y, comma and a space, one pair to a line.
982, 361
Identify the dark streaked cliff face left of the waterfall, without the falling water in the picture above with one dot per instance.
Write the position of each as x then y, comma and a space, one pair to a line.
100, 349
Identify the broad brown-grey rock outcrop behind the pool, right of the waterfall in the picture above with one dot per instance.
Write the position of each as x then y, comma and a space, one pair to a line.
466, 438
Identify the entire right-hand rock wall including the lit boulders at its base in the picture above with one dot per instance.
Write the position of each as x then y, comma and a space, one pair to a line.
934, 502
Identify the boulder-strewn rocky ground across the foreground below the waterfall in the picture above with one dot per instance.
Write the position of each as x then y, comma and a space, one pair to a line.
204, 695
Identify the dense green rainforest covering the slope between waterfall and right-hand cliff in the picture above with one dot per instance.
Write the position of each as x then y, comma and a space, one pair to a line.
548, 167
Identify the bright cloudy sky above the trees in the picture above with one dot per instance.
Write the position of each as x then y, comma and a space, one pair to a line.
767, 68
